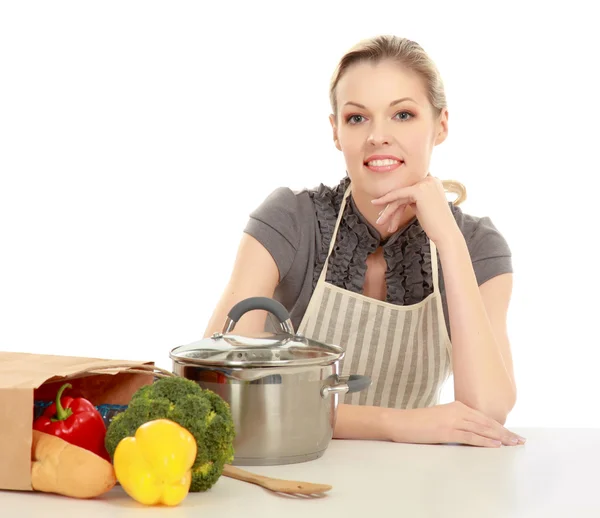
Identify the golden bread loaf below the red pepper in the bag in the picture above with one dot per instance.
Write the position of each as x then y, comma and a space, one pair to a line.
65, 469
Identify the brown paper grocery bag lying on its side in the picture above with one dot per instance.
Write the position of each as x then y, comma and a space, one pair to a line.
25, 378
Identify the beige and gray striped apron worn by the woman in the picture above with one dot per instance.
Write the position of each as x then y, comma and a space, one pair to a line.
405, 350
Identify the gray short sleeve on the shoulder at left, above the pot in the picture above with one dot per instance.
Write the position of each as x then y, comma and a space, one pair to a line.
274, 223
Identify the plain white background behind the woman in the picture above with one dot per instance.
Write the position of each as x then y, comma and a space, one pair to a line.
135, 138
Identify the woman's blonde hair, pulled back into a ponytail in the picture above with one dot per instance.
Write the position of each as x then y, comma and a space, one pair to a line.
410, 55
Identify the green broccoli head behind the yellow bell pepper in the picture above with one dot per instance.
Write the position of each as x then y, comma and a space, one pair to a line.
205, 414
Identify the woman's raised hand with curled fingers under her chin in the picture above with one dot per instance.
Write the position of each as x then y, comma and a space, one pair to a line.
427, 199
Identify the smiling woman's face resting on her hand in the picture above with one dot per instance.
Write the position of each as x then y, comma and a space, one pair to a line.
385, 127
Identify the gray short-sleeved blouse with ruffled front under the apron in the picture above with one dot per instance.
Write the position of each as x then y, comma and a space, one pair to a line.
296, 228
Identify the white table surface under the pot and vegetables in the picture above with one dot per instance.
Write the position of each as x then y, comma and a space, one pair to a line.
555, 474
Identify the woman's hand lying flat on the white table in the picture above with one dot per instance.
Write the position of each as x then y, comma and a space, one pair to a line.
450, 423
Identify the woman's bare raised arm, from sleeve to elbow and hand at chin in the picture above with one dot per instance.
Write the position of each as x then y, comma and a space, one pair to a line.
482, 366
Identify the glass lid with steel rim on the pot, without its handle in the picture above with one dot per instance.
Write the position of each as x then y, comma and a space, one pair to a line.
263, 350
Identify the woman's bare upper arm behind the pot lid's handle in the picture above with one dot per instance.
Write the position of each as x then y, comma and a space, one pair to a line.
255, 274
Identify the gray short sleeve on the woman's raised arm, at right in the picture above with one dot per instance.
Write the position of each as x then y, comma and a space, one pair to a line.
490, 253
